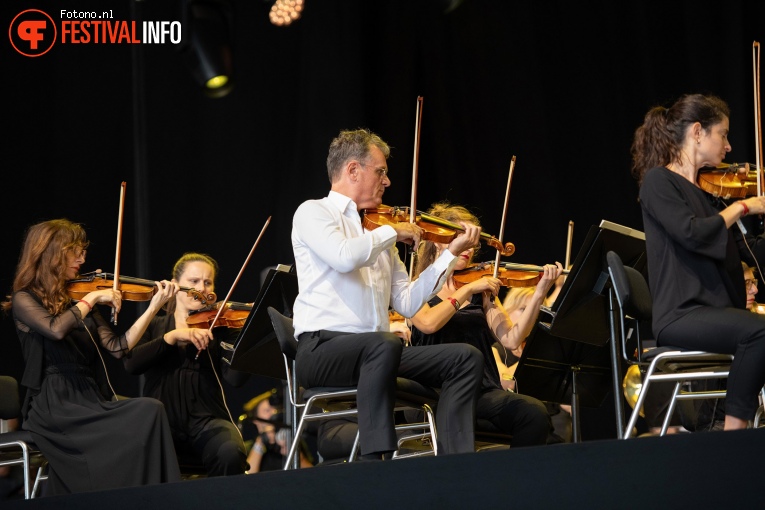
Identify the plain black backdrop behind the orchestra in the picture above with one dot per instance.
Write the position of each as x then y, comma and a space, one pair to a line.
560, 85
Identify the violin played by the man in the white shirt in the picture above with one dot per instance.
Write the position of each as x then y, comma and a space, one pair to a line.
435, 229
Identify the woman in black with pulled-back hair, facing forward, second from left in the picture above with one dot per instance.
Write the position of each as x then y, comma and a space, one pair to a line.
183, 369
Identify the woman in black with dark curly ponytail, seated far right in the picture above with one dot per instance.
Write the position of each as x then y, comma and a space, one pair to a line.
694, 245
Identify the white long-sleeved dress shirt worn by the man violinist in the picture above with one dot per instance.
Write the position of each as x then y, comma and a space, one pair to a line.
348, 277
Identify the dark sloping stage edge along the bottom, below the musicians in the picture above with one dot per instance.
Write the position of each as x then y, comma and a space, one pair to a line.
696, 471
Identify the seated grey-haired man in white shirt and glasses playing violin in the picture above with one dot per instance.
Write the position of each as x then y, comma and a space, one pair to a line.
348, 278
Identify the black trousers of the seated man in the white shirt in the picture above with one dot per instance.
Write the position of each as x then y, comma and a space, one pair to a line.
372, 361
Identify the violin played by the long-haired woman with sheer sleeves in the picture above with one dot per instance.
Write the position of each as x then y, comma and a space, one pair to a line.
133, 289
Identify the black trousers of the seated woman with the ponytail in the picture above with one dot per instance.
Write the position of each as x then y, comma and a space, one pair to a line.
727, 331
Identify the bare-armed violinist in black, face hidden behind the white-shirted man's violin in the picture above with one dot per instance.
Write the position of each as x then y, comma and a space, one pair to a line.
472, 314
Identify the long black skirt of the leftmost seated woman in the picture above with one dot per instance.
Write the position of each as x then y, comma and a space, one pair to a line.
93, 444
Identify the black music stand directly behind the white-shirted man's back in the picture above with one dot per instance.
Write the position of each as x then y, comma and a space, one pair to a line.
256, 349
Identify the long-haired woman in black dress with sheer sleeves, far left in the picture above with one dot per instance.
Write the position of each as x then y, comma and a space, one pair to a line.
90, 443
